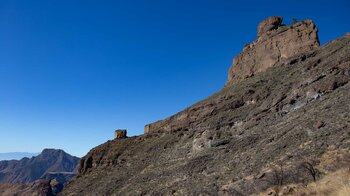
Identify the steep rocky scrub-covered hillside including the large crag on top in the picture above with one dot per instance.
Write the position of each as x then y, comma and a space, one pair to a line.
281, 123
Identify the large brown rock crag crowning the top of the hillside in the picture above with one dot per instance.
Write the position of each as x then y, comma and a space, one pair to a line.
275, 43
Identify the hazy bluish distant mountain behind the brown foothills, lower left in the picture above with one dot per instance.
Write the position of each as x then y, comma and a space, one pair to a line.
49, 163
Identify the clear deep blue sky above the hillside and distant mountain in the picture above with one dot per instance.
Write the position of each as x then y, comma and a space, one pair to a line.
71, 72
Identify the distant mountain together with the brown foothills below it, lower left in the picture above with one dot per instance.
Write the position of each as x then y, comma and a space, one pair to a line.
44, 174
